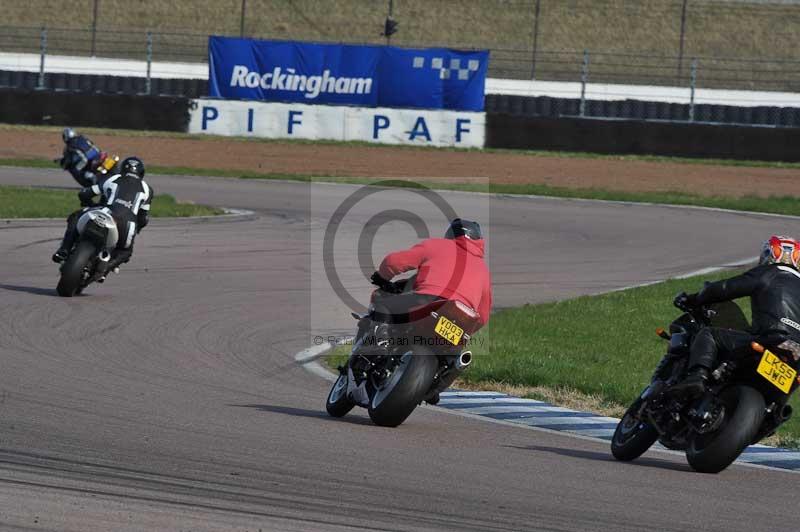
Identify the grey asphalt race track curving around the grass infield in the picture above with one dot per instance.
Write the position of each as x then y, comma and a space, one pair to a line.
169, 398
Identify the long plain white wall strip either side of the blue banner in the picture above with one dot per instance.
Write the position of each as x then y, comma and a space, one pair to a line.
557, 89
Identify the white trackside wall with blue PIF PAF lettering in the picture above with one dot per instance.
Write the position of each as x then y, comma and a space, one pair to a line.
322, 122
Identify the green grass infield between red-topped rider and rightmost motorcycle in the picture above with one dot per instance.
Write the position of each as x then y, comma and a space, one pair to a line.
591, 353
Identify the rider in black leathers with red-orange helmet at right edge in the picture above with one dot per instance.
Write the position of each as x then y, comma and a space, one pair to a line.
774, 290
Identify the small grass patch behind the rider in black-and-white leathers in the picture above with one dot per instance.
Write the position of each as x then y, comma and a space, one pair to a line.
29, 202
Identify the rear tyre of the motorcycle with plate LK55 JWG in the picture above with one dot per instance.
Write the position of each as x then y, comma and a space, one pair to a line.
744, 414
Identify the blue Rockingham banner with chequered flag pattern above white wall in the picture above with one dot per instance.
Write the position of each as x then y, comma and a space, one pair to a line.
338, 74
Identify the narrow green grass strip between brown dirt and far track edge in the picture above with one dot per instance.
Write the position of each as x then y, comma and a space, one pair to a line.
786, 205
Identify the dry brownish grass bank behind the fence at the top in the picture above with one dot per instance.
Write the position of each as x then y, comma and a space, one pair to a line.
566, 27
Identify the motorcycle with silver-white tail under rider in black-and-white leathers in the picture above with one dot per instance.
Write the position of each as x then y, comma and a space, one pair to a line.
97, 234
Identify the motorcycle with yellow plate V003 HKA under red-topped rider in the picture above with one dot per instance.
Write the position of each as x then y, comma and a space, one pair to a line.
393, 368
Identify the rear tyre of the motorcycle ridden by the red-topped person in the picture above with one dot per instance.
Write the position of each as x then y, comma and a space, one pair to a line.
400, 394
